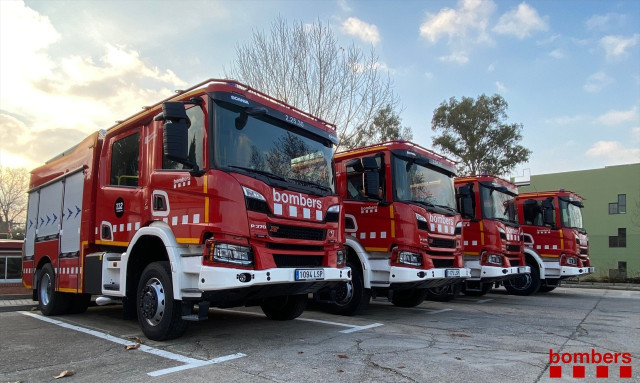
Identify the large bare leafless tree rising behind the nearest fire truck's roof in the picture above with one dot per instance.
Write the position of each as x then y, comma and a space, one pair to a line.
304, 66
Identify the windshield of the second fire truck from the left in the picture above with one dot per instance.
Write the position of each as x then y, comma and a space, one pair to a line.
415, 182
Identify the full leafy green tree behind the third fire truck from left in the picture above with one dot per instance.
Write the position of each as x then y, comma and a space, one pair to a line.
475, 132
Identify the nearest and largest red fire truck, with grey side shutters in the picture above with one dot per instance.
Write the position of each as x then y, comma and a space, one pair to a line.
219, 196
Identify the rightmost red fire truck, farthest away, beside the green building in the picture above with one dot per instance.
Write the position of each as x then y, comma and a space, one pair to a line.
556, 244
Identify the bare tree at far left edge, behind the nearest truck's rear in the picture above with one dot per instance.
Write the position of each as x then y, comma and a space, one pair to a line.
14, 183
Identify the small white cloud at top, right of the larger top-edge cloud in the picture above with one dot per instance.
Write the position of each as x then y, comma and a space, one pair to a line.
521, 22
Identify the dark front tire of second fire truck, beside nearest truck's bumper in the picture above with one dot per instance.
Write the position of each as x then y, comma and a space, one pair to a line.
351, 297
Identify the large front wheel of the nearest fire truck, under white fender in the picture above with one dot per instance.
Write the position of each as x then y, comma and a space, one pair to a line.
159, 315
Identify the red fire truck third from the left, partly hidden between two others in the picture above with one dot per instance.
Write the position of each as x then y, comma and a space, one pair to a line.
492, 239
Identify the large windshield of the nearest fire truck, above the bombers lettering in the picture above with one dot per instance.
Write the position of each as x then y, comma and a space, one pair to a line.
269, 146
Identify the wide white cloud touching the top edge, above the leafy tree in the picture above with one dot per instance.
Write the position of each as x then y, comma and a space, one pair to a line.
471, 18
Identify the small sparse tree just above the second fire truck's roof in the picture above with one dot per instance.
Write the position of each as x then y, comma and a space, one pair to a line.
386, 126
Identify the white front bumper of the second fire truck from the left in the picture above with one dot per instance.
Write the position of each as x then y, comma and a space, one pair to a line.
405, 277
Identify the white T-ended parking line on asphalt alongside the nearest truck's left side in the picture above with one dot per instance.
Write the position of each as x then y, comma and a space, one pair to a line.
189, 362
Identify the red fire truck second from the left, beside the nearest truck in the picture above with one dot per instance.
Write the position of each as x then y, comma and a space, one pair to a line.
403, 230
